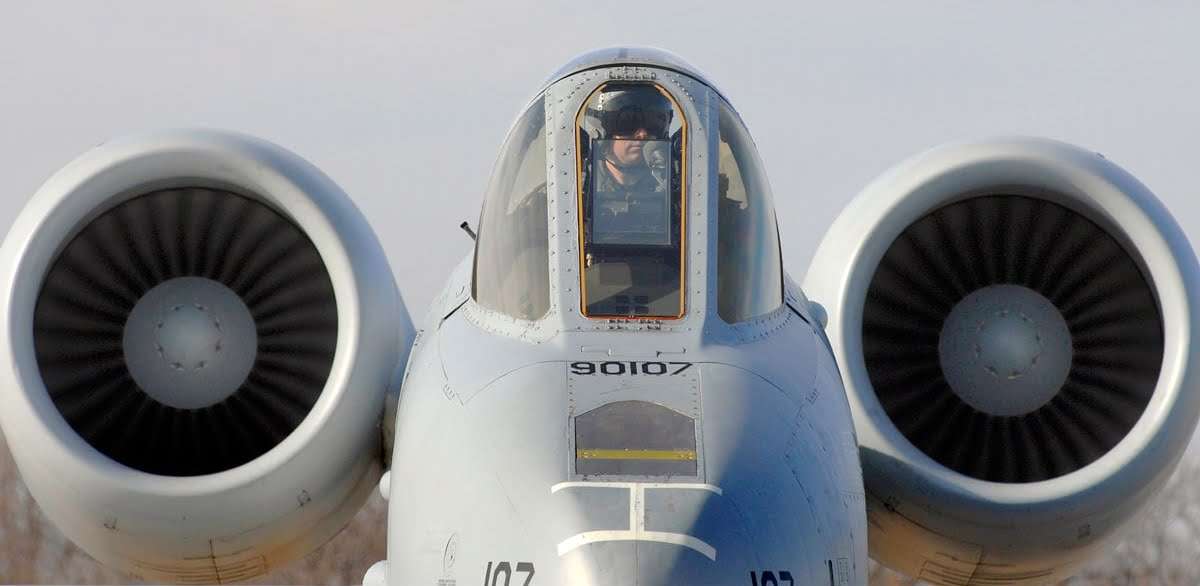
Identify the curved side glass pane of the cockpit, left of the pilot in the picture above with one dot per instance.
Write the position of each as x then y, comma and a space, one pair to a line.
512, 253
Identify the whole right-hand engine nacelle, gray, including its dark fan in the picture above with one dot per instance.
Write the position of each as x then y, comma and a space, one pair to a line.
1015, 321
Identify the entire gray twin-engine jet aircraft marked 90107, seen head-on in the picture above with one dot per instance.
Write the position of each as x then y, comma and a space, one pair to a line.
988, 370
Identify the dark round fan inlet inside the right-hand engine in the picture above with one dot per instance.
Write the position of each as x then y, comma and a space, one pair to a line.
1012, 339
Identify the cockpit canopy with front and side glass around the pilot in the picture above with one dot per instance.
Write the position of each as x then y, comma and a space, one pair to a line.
632, 160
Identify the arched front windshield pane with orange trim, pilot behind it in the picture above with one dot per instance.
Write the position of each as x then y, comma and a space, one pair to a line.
632, 141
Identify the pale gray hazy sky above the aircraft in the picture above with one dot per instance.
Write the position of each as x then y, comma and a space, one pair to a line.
406, 104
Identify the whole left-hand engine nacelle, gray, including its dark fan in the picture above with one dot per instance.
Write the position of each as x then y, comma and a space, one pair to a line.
199, 333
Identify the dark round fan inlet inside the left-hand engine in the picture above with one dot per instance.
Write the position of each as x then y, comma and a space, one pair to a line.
187, 332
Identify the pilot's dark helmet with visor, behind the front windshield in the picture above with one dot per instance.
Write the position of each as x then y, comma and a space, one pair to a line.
620, 111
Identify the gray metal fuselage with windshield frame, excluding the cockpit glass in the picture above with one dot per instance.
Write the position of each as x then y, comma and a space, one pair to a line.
615, 452
